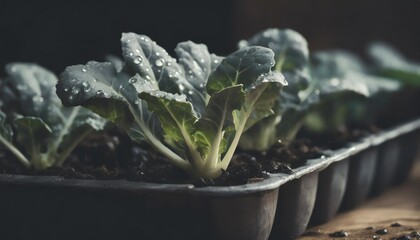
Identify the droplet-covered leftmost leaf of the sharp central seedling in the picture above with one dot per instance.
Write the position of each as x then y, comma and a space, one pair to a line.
100, 88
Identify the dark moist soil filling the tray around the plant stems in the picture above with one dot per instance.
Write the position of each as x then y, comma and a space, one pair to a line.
114, 156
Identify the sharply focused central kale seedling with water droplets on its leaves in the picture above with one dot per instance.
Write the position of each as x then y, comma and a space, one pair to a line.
192, 110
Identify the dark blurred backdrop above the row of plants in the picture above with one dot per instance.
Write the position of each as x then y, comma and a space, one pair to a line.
60, 33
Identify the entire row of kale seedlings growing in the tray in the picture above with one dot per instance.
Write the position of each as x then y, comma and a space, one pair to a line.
198, 108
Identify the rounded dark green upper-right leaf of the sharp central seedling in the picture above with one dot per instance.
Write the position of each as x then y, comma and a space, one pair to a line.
241, 67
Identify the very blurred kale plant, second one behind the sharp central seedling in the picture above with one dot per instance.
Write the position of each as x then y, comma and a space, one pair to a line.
342, 85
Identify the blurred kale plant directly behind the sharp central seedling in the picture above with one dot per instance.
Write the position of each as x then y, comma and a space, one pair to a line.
291, 56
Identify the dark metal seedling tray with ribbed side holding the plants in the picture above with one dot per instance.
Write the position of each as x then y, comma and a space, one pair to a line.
282, 206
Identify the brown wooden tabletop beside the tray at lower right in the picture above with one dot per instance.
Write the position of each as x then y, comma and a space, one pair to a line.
400, 204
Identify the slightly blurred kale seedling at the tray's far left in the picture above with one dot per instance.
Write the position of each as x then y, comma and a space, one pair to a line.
46, 130
